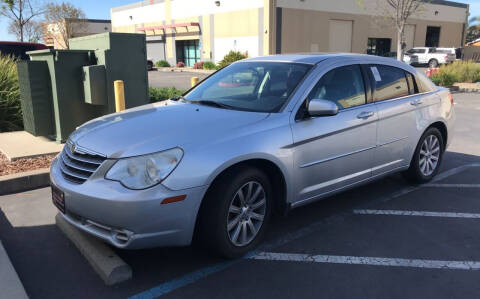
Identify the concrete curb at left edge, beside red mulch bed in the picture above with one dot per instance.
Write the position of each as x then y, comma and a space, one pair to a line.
19, 182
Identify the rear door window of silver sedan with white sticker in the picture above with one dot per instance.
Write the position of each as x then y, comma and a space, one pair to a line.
390, 82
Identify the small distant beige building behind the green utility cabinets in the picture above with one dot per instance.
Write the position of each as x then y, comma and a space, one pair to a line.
56, 34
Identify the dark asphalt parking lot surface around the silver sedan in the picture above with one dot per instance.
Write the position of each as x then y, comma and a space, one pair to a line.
387, 239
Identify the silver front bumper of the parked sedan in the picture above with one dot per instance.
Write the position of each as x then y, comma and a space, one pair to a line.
129, 218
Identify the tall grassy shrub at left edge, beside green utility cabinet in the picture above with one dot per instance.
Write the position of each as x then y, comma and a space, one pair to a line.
10, 106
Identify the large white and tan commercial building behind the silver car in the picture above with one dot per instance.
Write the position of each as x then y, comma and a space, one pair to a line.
202, 30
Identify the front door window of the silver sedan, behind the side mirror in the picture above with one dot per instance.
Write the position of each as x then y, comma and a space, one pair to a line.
343, 85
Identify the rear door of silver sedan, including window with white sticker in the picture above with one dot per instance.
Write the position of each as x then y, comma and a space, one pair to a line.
396, 105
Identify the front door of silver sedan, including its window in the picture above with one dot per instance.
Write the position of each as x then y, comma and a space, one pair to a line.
332, 152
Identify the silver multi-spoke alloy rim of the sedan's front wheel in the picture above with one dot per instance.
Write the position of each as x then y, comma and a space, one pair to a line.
246, 213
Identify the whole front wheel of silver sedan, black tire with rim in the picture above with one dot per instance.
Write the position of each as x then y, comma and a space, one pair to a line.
217, 229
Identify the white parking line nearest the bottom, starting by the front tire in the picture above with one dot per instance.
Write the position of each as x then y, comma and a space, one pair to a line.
374, 261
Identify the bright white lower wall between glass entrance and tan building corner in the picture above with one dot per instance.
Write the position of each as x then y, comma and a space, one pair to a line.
242, 43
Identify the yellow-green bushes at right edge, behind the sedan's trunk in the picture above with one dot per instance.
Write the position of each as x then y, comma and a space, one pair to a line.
457, 72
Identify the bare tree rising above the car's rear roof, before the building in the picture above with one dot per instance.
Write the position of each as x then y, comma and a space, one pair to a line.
399, 11
